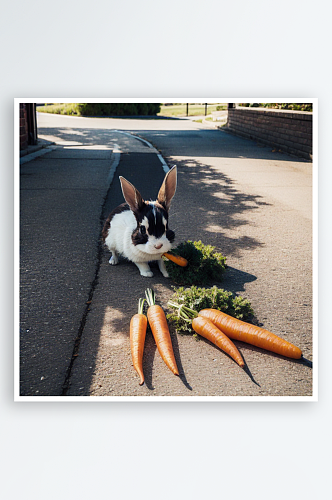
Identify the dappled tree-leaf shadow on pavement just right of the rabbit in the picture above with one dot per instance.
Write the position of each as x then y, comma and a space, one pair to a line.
208, 205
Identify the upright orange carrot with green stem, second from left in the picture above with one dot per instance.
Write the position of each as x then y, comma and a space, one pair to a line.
160, 331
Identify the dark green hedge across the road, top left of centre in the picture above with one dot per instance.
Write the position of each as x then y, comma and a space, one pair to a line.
118, 109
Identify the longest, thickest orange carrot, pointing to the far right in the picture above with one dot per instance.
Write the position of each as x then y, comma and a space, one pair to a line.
251, 334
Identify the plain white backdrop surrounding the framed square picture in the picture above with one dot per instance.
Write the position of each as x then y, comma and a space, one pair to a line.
150, 49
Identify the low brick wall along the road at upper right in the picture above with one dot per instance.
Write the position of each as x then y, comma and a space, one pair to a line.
290, 131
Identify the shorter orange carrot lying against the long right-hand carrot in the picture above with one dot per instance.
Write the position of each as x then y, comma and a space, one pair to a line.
208, 330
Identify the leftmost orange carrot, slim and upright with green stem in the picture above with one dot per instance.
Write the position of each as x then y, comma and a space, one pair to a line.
138, 324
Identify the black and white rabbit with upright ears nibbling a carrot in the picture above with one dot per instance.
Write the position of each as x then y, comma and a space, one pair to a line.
138, 229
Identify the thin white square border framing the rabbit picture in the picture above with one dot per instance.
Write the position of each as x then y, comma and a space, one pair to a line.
166, 399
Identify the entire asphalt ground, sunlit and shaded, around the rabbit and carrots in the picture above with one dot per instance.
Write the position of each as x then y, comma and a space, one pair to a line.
253, 204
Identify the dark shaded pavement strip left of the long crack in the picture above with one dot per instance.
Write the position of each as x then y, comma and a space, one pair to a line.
62, 194
